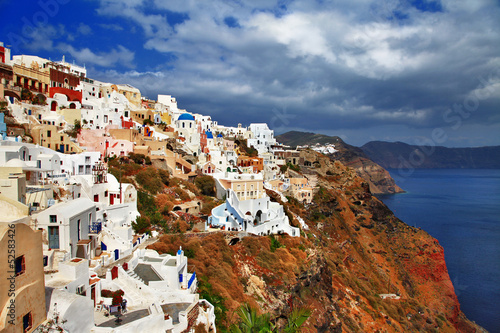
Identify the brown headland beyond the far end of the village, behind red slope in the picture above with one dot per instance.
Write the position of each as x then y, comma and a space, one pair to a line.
379, 179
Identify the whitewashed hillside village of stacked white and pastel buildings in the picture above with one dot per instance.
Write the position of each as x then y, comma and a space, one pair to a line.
76, 156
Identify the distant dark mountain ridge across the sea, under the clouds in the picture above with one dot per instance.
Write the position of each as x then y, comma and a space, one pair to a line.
401, 155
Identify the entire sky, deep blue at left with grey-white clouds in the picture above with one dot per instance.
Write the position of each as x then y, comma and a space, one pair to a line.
420, 72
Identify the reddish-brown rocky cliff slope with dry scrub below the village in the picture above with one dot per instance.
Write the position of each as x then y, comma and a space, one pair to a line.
354, 252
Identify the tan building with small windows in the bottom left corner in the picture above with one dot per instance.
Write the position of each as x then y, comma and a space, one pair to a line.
22, 285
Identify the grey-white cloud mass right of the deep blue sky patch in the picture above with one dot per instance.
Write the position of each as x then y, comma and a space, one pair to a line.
351, 66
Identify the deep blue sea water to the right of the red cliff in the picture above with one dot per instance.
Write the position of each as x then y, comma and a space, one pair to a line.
461, 208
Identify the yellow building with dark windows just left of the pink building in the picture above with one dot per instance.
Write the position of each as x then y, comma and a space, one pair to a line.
52, 137
